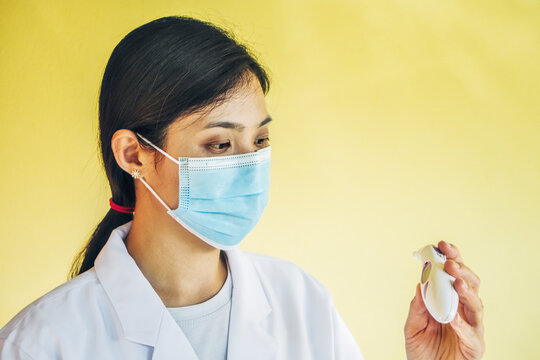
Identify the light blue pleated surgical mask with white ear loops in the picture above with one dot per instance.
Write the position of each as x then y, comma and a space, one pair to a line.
221, 198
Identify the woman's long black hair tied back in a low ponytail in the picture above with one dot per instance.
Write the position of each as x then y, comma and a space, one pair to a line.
170, 67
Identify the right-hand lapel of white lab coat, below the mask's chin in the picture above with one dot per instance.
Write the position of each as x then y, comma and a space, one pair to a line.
248, 336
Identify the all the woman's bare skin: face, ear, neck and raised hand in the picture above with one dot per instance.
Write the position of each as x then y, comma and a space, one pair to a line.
184, 270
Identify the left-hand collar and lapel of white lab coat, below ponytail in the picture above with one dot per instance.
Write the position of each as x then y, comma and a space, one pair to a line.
142, 314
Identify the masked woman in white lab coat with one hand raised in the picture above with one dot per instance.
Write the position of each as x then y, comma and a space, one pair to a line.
184, 136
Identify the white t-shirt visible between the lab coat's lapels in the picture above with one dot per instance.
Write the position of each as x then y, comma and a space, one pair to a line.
206, 325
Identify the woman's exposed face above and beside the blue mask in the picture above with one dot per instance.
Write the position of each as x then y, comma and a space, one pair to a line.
239, 125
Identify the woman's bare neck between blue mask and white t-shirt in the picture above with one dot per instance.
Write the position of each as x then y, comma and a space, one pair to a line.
183, 269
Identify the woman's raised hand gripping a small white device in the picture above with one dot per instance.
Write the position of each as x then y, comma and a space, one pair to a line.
463, 337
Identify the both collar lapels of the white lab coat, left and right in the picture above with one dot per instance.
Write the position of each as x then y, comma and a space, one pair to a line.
145, 319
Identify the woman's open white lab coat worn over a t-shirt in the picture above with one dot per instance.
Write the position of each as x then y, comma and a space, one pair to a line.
111, 311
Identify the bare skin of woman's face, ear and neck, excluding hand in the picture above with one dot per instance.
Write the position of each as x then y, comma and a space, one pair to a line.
183, 269
